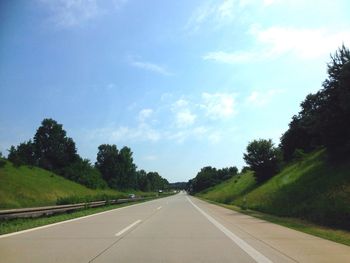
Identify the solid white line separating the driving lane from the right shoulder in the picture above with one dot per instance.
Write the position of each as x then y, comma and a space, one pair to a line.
256, 255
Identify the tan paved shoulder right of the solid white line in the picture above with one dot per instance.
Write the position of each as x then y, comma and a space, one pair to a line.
272, 240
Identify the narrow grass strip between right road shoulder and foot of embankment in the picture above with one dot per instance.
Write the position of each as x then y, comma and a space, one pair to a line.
336, 235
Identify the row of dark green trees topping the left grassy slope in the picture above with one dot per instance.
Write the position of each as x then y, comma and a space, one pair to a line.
52, 150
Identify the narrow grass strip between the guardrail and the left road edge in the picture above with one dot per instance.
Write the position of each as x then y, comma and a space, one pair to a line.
14, 225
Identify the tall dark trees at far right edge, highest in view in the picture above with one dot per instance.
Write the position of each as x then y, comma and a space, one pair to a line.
324, 116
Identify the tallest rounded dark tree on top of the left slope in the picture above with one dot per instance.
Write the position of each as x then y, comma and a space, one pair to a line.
53, 149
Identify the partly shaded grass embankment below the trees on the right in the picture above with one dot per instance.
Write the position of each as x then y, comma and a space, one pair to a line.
312, 190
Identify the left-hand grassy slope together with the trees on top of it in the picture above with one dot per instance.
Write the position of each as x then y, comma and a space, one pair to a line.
47, 170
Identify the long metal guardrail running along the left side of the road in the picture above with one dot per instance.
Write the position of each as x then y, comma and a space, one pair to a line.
50, 210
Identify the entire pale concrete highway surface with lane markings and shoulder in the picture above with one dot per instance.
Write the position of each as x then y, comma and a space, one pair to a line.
177, 229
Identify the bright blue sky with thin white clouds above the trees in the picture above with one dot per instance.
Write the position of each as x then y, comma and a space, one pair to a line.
184, 84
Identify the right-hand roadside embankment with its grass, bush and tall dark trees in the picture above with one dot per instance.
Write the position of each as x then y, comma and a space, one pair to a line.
307, 176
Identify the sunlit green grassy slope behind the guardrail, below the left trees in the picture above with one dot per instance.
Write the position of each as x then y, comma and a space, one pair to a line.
28, 187
